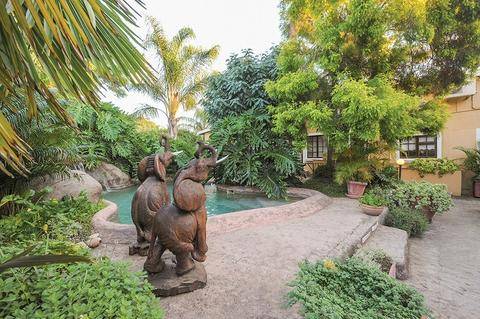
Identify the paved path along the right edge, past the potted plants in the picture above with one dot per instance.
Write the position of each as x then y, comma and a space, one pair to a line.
444, 264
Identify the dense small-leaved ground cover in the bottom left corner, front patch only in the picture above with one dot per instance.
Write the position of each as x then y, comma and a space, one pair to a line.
103, 289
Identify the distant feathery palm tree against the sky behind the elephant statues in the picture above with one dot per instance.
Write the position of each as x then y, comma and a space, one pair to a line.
182, 74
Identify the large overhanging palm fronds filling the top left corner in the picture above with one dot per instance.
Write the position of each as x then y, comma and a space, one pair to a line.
67, 48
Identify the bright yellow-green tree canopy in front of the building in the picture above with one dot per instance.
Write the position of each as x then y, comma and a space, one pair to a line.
367, 72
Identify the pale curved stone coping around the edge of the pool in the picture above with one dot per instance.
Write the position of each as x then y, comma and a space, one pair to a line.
312, 201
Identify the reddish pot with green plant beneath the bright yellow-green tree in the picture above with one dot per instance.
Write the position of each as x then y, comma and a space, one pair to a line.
356, 175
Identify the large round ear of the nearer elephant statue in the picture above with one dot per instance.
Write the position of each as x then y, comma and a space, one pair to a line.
189, 196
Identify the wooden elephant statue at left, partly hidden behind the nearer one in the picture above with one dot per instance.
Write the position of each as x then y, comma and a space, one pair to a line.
150, 196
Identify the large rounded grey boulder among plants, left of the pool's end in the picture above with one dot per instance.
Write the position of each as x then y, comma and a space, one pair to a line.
73, 185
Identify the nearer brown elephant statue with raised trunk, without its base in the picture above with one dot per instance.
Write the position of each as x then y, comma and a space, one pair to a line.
181, 226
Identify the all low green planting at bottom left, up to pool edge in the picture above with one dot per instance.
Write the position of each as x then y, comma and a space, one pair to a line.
54, 228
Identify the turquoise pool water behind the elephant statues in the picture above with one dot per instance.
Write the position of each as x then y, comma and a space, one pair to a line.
217, 202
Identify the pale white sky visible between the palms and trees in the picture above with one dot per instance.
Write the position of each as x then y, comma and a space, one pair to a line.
232, 24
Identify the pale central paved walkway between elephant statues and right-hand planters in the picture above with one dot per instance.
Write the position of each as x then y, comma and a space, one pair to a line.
249, 269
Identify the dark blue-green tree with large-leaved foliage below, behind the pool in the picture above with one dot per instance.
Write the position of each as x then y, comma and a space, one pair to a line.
235, 102
